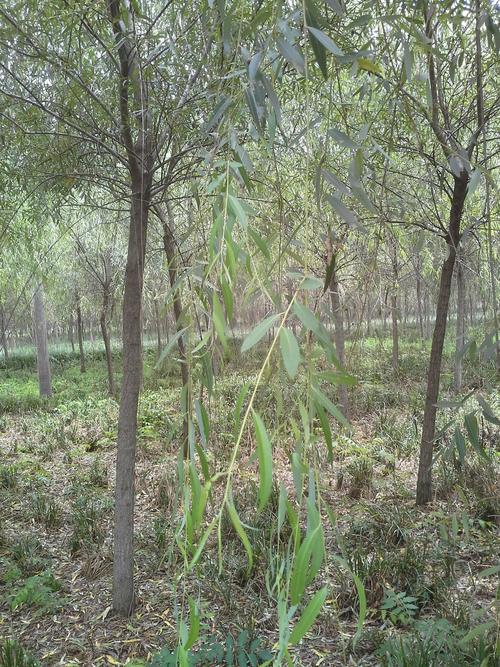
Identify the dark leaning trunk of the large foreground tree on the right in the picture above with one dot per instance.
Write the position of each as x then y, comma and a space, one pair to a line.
424, 480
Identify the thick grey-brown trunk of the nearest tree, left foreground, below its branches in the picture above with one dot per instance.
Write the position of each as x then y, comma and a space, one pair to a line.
123, 563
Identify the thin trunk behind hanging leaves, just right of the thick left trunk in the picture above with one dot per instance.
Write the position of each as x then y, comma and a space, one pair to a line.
171, 254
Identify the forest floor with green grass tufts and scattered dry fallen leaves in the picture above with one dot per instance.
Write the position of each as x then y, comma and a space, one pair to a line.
429, 575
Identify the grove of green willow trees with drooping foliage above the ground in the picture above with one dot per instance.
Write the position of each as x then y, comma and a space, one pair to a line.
316, 180
